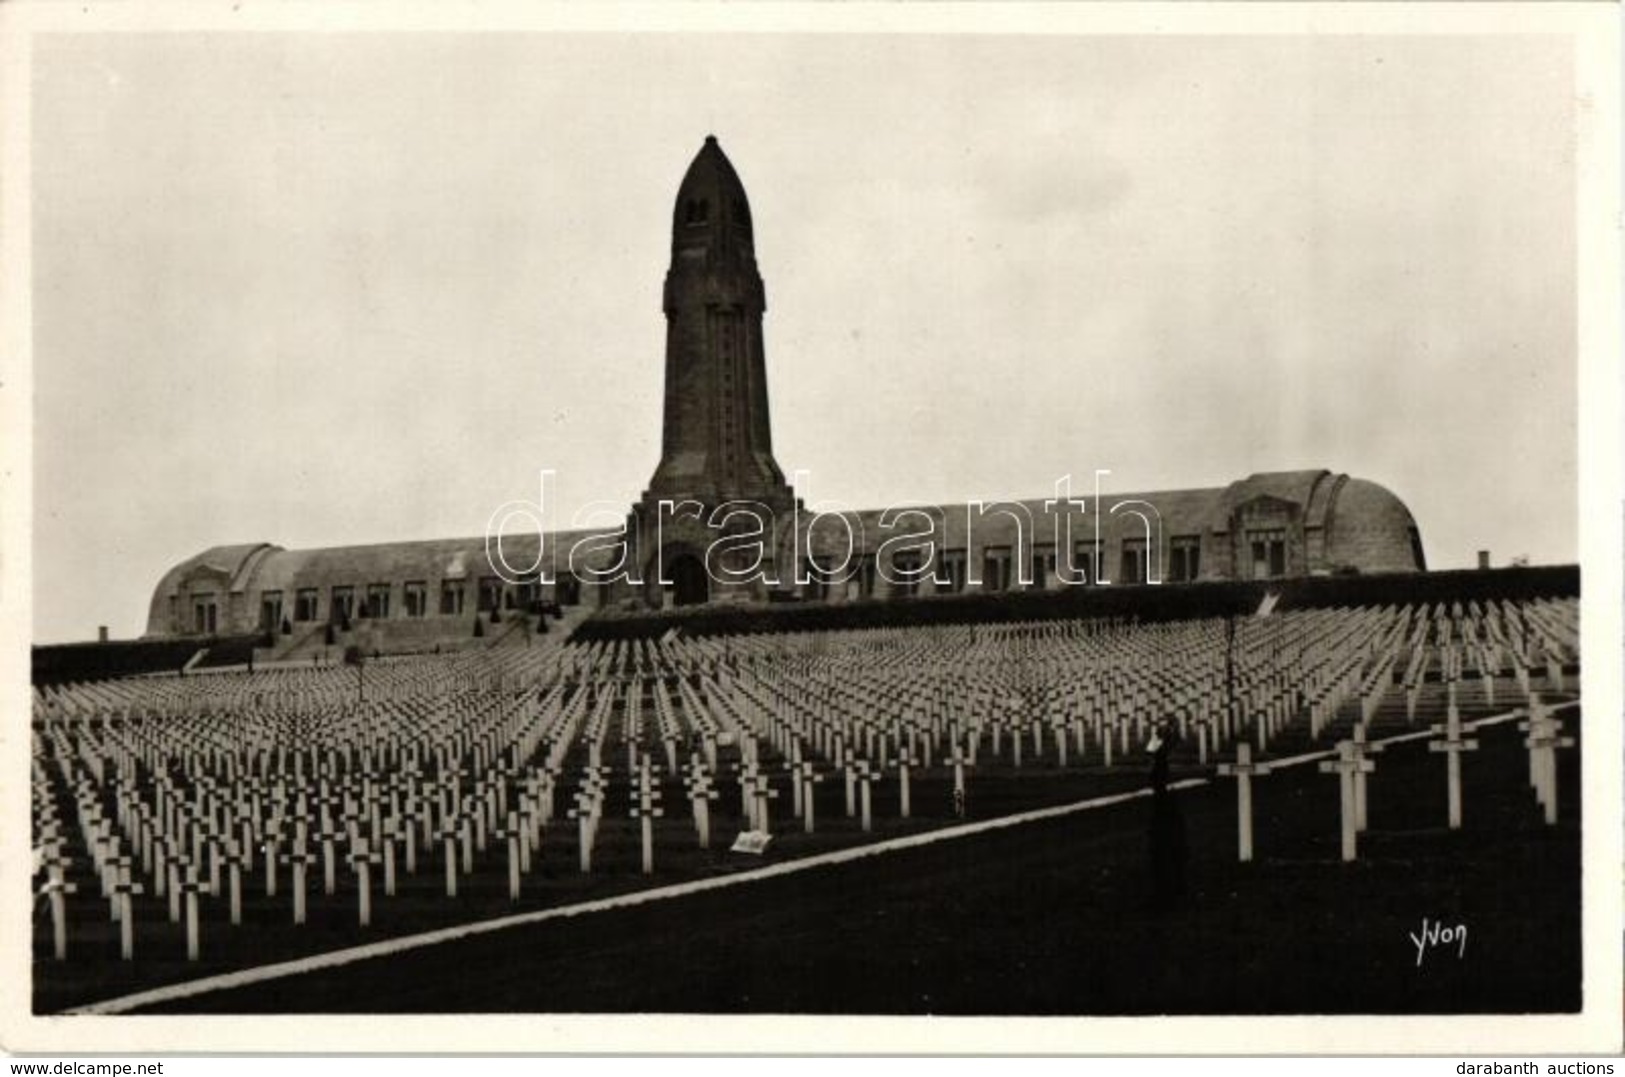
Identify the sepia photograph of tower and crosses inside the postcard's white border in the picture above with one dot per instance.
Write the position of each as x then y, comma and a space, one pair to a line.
1130, 568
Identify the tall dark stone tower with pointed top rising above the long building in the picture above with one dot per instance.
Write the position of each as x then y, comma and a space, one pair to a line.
717, 441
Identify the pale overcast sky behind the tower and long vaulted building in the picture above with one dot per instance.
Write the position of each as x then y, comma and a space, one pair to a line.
324, 290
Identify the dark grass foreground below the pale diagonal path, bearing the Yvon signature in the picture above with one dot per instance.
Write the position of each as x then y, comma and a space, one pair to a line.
1046, 919
